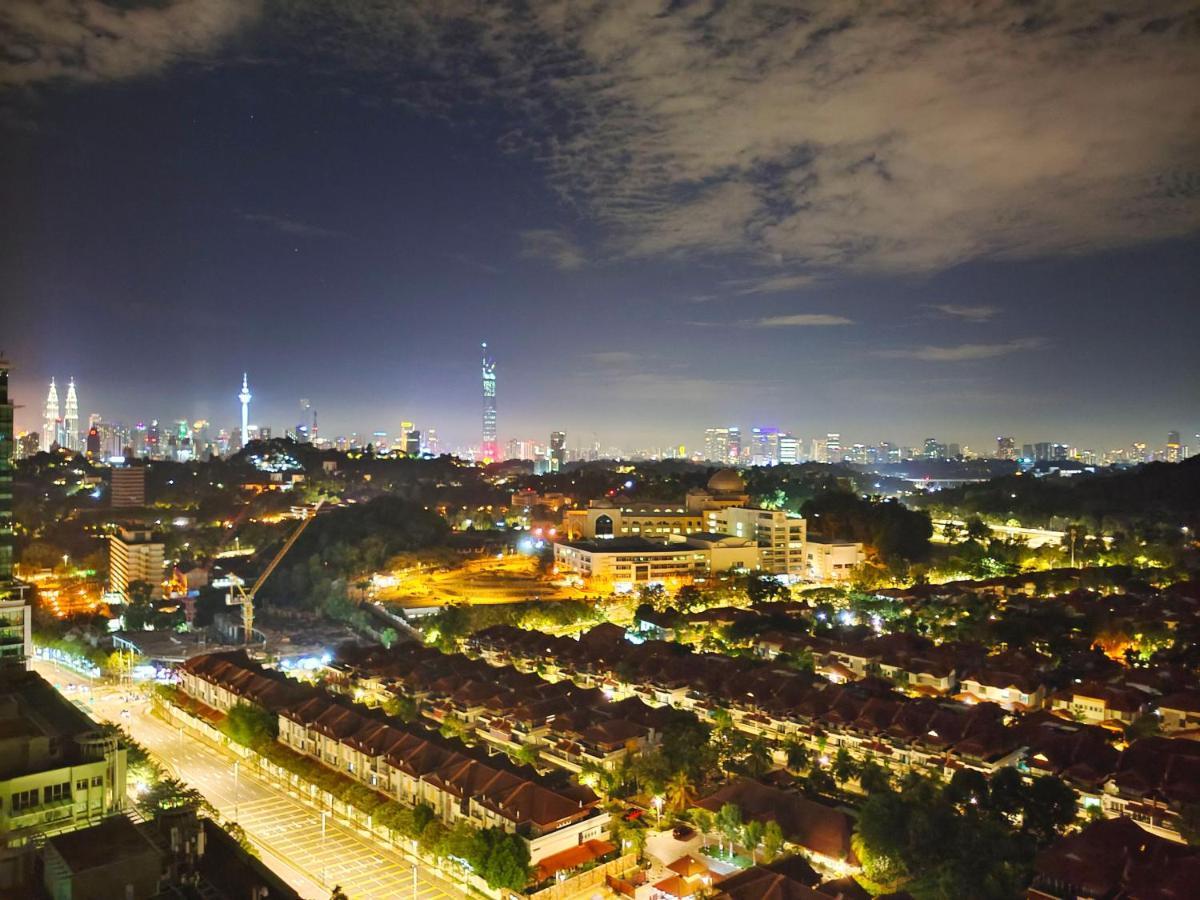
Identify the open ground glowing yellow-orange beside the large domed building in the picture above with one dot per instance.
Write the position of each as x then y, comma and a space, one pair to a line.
506, 580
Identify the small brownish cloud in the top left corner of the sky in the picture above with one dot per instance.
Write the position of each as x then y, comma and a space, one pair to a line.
95, 41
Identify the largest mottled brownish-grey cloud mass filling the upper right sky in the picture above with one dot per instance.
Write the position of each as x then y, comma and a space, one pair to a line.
849, 136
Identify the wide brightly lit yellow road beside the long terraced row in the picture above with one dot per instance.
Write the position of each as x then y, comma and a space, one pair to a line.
309, 850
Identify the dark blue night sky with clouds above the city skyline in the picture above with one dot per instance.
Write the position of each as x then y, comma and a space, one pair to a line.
955, 224
